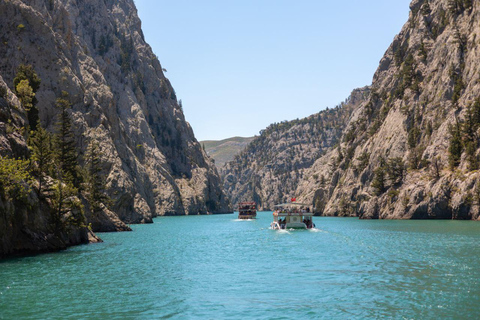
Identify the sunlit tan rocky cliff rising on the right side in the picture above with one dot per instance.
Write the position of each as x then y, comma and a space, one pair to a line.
414, 142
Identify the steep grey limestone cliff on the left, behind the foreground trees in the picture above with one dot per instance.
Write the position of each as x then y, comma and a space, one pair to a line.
95, 52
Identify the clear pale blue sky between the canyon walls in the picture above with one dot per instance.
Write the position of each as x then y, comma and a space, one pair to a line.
240, 65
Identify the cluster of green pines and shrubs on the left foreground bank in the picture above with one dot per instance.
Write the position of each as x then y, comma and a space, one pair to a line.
51, 169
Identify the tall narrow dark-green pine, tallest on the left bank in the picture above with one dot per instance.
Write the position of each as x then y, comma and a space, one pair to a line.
66, 153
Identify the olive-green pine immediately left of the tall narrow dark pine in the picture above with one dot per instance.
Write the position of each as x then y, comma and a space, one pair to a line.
40, 143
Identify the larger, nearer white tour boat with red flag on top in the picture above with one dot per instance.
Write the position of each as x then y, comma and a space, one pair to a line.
292, 216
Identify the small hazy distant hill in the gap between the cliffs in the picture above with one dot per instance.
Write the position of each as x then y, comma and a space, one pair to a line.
223, 151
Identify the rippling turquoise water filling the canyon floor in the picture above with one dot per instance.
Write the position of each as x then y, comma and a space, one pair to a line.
215, 267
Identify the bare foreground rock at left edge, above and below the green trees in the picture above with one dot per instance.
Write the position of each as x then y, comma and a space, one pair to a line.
27, 226
